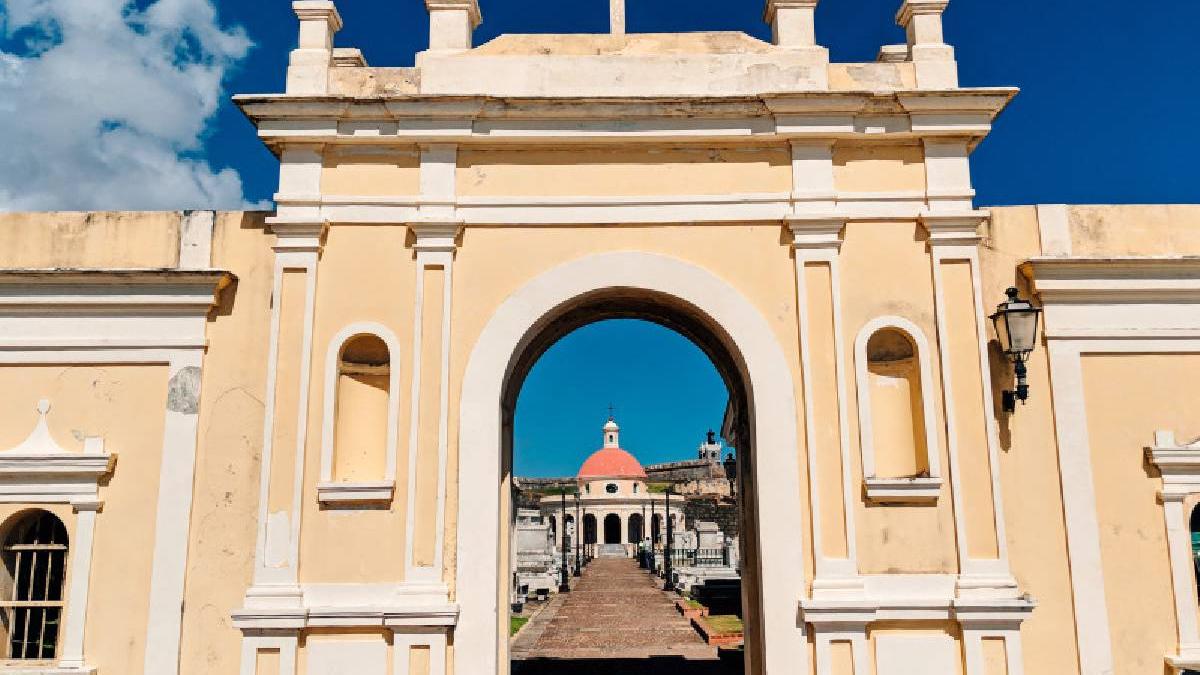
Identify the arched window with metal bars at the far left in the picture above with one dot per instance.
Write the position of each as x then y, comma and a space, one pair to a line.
35, 555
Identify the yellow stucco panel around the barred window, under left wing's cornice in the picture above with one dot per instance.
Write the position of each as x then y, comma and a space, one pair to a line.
125, 405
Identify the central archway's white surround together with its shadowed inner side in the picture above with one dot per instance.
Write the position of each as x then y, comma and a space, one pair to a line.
743, 348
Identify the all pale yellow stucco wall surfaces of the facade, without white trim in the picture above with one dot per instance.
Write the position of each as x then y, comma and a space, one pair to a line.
368, 274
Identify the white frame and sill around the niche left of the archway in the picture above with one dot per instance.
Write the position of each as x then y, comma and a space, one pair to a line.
329, 492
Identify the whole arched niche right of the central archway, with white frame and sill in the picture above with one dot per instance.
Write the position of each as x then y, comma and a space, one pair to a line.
896, 413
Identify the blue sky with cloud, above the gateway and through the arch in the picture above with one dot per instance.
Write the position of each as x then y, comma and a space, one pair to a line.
125, 105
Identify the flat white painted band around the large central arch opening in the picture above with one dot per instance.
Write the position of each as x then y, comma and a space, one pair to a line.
477, 641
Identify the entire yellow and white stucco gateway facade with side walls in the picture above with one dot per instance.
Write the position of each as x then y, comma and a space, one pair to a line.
776, 208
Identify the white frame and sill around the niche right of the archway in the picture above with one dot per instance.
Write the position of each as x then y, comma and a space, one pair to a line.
884, 491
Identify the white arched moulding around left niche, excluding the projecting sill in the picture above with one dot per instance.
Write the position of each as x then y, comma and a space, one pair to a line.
329, 422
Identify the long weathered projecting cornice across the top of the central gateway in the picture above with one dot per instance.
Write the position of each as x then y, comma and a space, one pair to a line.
863, 116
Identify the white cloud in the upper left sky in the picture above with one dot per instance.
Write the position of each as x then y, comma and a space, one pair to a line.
104, 105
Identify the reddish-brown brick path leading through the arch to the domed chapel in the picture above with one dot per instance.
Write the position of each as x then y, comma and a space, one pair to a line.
616, 616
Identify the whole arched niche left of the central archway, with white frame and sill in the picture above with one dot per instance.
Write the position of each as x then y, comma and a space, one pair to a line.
359, 428
